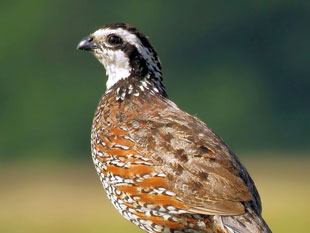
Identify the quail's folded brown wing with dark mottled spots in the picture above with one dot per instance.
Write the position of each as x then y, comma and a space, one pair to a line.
200, 168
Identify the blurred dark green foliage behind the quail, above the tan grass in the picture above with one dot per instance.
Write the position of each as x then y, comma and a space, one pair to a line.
241, 66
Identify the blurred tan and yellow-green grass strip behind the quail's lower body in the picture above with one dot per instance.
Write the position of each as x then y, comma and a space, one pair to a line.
55, 197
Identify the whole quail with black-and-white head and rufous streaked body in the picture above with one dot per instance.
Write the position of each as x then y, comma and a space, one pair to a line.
162, 168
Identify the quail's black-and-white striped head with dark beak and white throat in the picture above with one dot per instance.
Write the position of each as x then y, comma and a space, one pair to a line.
125, 53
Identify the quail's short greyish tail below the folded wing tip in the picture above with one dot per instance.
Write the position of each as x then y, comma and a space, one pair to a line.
249, 222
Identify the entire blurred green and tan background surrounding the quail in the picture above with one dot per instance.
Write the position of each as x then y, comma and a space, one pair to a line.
240, 66
